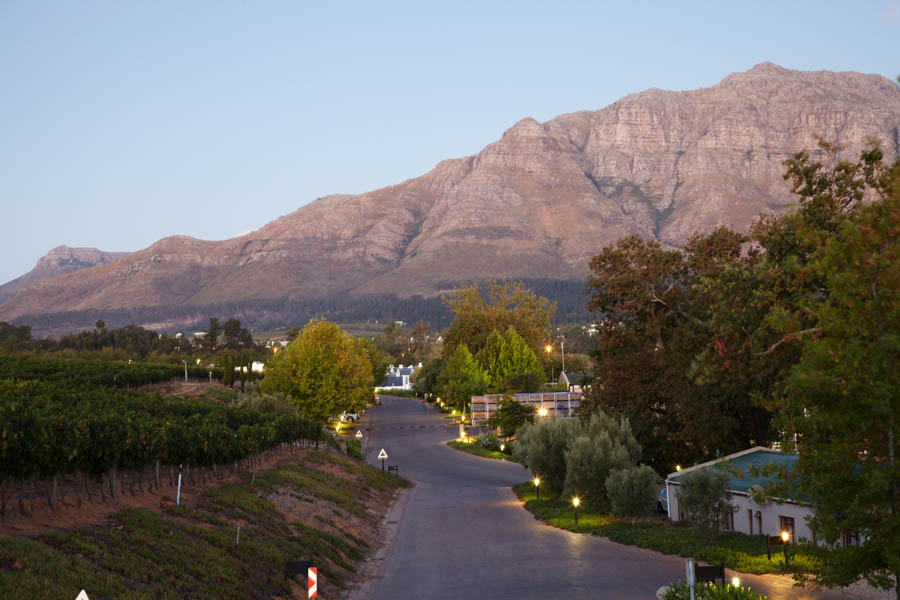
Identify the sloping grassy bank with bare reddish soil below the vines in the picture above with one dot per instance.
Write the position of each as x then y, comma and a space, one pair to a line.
194, 551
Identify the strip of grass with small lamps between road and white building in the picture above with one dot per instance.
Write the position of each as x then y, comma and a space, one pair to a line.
738, 551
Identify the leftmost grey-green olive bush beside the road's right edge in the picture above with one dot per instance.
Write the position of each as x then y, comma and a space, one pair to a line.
542, 449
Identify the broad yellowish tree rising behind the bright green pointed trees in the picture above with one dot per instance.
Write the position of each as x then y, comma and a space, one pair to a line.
477, 312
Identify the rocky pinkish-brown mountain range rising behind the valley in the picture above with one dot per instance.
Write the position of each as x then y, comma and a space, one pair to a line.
538, 203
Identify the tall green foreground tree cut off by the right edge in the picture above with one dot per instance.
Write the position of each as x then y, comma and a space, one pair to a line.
842, 399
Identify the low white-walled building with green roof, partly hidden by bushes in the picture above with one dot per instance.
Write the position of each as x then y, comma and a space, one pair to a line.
749, 516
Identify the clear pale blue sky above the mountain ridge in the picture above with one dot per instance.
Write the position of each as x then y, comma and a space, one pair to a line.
124, 122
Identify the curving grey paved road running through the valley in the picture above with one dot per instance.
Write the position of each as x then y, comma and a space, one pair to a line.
463, 534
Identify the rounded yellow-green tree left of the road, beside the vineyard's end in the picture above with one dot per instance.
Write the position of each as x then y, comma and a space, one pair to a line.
323, 370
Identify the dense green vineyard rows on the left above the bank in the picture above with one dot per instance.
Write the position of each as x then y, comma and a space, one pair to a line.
68, 422
